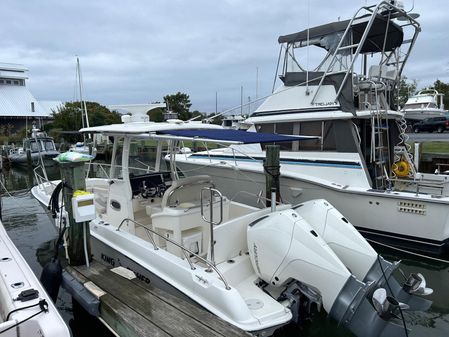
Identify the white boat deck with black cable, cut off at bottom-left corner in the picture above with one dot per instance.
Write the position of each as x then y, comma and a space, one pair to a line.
25, 307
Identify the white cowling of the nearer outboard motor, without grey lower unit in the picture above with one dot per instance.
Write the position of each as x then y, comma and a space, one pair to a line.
283, 246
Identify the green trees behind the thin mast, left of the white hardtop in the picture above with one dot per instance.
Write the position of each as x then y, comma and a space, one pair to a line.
68, 119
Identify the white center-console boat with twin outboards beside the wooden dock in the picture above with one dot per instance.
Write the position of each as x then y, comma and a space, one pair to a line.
182, 234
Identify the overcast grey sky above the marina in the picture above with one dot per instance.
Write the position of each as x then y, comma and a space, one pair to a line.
139, 51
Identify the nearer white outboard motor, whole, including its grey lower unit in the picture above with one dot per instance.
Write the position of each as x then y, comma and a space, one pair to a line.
298, 254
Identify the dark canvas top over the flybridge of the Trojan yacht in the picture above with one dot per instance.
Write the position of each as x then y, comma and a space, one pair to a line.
374, 41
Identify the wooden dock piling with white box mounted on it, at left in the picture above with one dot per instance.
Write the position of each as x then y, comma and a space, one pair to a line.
72, 173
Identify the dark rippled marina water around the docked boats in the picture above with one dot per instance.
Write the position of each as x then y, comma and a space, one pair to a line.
31, 230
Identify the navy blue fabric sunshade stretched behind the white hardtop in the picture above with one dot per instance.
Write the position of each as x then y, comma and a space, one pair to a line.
243, 137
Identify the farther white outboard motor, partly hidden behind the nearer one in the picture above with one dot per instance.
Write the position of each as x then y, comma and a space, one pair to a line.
359, 257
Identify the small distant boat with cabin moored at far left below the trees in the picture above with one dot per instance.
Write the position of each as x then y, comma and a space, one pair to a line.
41, 149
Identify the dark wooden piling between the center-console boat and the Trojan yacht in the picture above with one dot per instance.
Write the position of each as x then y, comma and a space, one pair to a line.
272, 171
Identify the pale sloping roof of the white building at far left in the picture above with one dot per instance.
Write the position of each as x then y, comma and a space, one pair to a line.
15, 101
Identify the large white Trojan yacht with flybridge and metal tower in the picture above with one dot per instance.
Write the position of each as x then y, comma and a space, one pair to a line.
361, 162
